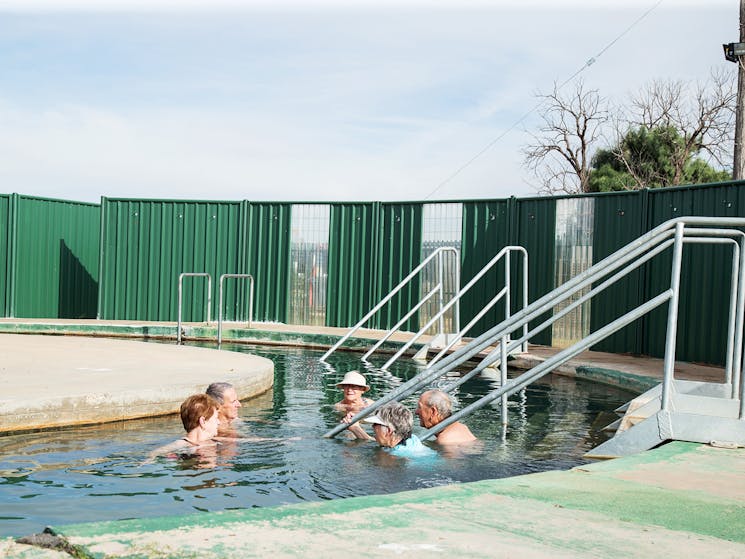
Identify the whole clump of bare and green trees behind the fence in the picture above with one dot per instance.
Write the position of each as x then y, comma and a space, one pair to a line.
669, 133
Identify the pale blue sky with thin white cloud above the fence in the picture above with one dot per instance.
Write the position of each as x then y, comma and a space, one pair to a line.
317, 100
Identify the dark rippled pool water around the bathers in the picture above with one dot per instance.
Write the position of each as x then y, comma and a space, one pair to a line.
100, 472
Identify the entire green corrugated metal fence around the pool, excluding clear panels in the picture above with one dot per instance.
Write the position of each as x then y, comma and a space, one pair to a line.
52, 253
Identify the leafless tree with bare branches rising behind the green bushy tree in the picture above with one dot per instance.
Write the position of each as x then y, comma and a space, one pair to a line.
703, 116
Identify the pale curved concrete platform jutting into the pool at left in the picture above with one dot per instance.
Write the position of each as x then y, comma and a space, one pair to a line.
51, 381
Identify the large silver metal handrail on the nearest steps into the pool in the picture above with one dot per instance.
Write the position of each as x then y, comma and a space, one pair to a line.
636, 252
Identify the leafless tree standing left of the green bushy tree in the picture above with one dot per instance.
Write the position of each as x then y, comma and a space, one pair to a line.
560, 153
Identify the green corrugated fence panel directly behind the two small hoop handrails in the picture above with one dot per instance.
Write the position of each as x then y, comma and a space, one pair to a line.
147, 244
